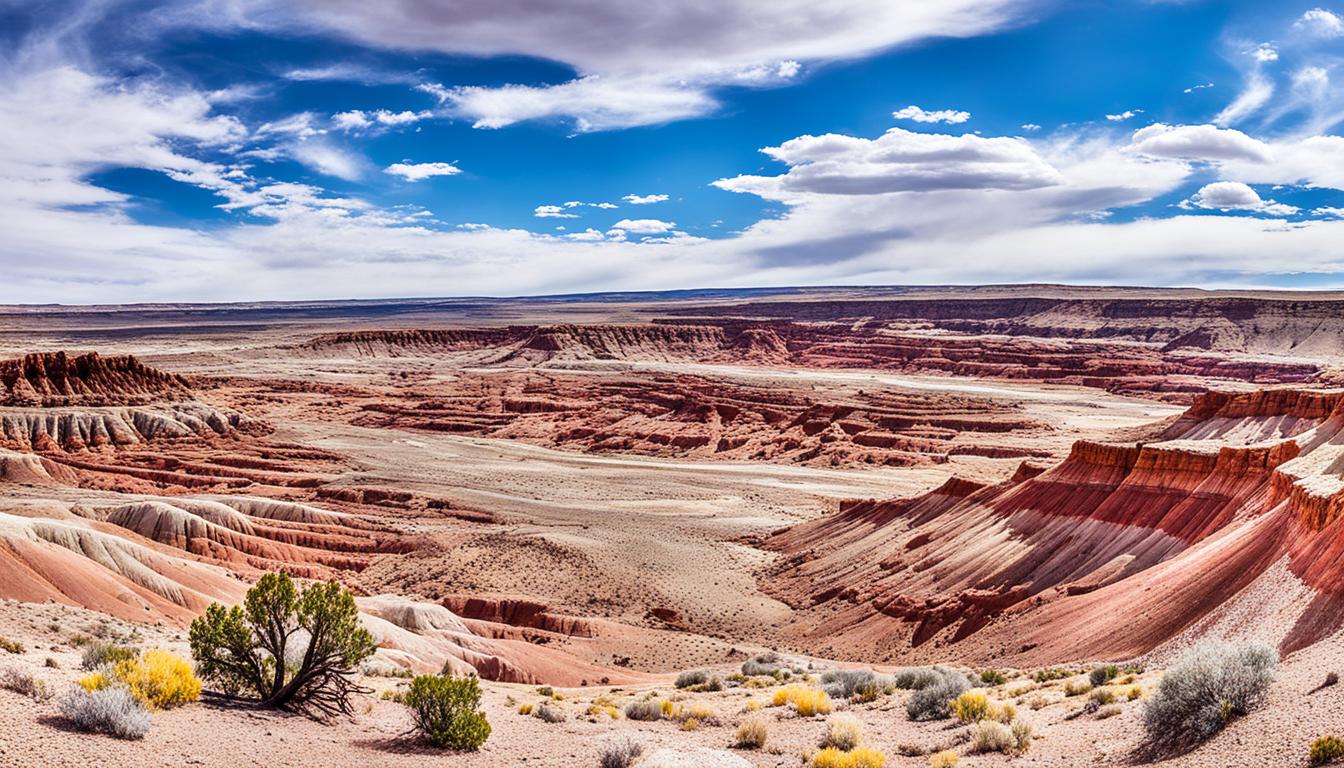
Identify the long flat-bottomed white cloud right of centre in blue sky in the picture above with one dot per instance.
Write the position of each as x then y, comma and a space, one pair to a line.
897, 162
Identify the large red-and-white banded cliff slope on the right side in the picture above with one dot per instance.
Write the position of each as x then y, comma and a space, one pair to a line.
1060, 563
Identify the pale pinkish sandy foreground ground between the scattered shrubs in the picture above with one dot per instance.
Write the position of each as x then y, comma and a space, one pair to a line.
33, 734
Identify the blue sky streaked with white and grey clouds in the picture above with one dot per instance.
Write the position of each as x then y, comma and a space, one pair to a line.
256, 150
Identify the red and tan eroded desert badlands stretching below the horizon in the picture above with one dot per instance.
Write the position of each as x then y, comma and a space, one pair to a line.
717, 502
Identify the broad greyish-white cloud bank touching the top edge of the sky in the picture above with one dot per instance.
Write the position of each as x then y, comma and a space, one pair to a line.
636, 64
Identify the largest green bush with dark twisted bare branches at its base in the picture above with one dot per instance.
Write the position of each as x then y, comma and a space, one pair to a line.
286, 648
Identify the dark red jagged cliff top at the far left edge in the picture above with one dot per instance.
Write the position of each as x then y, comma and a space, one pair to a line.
56, 379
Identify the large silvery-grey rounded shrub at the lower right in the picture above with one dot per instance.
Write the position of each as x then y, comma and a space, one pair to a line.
1209, 688
